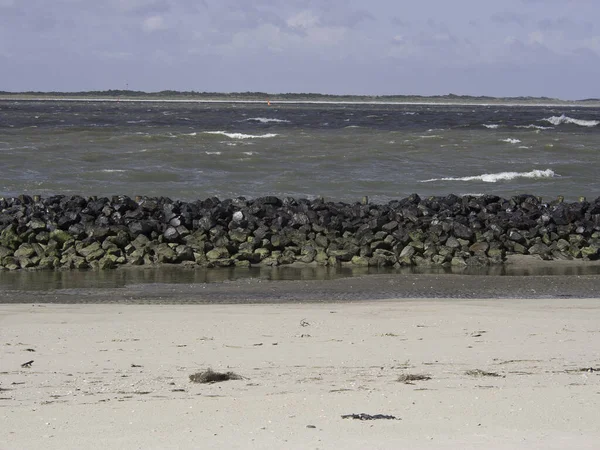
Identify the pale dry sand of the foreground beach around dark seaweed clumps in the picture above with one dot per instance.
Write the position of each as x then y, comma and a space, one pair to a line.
503, 374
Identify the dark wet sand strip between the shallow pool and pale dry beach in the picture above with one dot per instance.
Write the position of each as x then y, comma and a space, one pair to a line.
371, 287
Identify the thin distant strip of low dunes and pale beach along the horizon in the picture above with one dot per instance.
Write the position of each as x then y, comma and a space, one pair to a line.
358, 100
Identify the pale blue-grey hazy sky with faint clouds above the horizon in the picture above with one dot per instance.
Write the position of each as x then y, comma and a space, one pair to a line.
377, 47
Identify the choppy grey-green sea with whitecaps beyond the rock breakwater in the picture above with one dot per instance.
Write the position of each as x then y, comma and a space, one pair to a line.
342, 152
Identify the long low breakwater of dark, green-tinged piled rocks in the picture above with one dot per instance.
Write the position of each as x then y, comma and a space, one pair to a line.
62, 232
